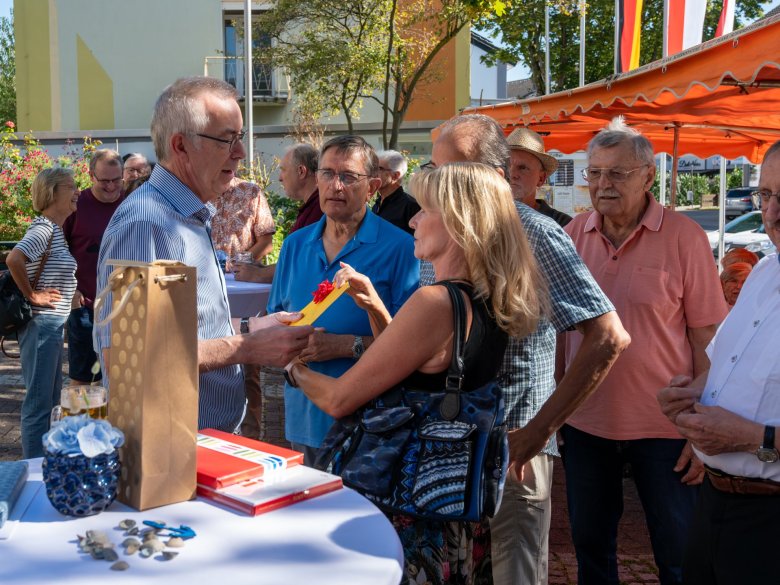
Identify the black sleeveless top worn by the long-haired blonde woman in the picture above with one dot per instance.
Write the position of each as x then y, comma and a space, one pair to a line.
483, 352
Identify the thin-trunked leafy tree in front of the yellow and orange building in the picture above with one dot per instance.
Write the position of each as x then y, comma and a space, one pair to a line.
339, 54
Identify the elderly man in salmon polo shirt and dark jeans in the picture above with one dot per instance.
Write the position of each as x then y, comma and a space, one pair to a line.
656, 267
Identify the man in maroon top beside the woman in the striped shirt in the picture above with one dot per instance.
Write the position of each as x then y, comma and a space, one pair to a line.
84, 230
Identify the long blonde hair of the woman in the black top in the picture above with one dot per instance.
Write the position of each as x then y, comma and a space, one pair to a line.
479, 214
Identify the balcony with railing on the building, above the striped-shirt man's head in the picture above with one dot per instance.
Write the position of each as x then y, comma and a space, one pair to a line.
269, 85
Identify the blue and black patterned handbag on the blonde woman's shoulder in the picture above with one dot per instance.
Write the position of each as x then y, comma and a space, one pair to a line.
439, 456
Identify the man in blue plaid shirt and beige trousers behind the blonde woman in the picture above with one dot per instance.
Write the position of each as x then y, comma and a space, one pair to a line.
535, 407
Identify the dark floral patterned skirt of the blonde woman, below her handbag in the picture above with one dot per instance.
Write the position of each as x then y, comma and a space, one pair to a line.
444, 553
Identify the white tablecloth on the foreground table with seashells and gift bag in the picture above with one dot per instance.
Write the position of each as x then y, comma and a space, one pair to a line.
338, 538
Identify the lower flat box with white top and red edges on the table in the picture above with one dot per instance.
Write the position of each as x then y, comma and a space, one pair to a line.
258, 495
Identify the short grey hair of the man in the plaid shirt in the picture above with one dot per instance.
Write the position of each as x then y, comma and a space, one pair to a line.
481, 139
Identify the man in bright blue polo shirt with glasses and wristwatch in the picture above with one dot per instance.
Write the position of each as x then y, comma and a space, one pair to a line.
347, 178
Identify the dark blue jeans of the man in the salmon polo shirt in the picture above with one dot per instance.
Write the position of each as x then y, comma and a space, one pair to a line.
594, 488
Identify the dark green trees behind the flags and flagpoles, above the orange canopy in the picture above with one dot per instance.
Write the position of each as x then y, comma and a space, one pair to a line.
521, 28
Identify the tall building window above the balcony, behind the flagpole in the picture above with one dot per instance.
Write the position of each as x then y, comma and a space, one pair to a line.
262, 75
